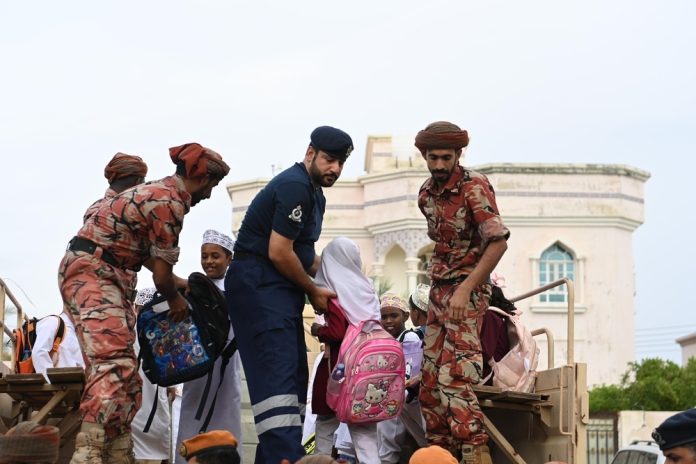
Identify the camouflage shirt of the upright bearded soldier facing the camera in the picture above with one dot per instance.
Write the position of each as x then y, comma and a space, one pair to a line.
462, 219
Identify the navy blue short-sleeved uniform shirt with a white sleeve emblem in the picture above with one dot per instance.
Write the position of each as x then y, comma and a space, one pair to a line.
289, 205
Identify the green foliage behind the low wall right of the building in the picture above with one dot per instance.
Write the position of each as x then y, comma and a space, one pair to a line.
650, 385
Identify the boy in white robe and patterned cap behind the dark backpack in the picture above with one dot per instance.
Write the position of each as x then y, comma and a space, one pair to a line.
216, 256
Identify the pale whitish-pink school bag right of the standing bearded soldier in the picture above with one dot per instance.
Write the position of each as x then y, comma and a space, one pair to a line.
516, 371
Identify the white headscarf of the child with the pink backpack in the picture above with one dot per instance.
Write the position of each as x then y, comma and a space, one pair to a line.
341, 271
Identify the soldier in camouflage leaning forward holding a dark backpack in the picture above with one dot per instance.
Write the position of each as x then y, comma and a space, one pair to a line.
139, 227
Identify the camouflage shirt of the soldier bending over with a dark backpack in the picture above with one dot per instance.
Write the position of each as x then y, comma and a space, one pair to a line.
142, 222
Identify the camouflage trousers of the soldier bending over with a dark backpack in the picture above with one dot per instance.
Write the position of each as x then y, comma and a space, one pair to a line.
100, 300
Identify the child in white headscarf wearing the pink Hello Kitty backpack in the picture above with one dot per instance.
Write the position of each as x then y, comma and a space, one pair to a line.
341, 271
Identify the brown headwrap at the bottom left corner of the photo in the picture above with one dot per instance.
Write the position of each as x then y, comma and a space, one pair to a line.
30, 442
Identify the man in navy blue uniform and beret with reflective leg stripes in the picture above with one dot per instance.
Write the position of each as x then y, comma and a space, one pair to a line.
266, 284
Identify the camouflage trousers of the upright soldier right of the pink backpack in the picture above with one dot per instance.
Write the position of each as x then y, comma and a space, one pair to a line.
452, 362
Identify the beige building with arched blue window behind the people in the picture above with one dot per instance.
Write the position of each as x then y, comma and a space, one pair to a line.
573, 220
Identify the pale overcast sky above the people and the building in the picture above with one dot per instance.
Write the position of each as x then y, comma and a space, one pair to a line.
543, 81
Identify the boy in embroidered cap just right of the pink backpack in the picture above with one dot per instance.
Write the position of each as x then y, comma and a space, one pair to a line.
394, 435
